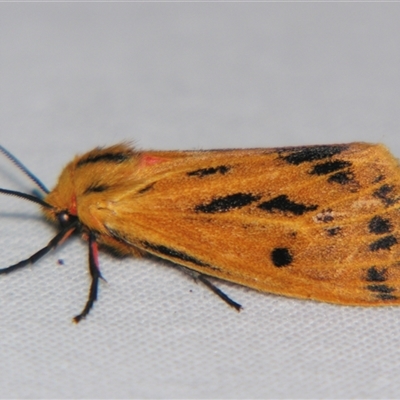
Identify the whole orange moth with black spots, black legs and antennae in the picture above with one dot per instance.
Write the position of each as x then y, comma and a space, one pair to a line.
317, 222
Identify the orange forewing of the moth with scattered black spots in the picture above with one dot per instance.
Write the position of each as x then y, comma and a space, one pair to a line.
314, 222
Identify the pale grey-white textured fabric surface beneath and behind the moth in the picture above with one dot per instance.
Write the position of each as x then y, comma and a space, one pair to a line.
177, 76
